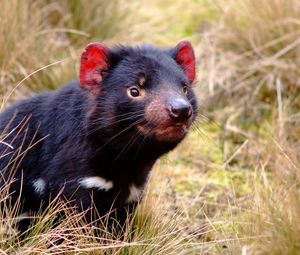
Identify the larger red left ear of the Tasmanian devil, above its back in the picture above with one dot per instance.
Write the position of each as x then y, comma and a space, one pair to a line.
93, 66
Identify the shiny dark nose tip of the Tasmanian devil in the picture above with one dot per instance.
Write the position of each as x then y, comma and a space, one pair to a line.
180, 110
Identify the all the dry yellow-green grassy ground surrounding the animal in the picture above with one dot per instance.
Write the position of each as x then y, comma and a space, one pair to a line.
232, 187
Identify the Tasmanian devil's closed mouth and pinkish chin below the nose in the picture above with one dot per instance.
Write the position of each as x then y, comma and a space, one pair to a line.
168, 133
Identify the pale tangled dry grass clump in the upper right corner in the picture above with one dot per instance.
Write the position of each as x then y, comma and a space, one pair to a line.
250, 55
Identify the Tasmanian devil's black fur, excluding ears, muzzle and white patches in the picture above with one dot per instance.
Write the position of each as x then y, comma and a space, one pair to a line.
70, 134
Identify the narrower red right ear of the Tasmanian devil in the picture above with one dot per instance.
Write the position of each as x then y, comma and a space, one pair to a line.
186, 59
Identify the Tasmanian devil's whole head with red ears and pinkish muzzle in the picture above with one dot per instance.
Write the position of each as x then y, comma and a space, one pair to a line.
141, 91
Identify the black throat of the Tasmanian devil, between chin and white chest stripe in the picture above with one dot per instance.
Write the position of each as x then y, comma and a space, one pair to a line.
126, 159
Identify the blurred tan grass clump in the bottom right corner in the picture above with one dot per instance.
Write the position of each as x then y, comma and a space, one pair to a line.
274, 215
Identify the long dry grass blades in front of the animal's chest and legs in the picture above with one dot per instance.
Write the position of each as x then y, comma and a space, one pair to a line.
153, 230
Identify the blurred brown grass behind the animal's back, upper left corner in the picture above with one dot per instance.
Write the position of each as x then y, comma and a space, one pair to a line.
40, 41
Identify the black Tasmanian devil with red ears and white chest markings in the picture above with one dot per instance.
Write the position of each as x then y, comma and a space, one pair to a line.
94, 141
